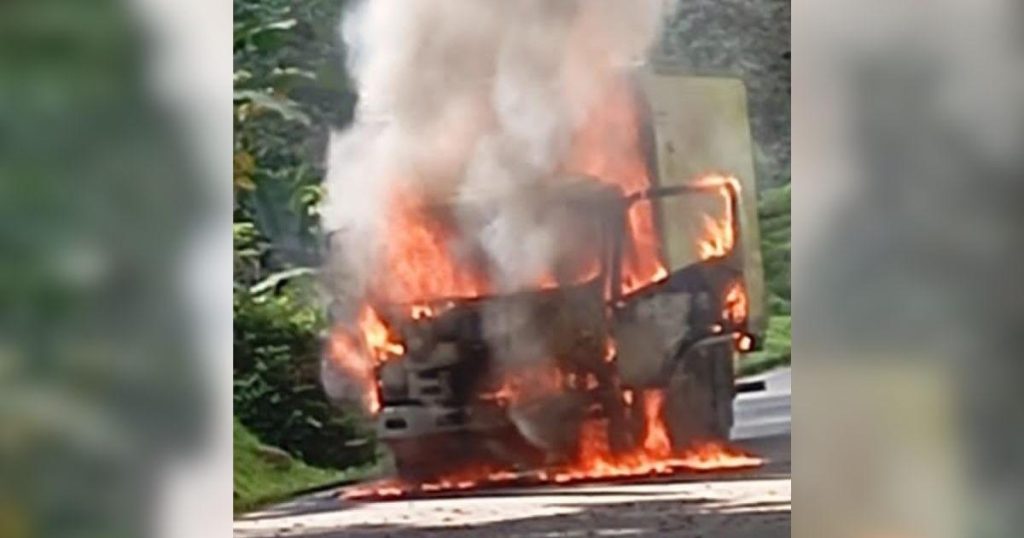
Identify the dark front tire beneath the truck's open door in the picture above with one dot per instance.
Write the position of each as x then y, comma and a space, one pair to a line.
699, 404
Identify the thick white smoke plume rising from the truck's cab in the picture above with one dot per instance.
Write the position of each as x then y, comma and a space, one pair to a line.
475, 101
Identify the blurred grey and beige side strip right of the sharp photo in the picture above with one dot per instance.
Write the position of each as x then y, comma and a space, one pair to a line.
909, 155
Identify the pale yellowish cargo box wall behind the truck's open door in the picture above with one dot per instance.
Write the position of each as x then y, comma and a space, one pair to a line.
701, 128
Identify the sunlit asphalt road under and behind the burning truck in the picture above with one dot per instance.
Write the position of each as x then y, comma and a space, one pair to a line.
745, 505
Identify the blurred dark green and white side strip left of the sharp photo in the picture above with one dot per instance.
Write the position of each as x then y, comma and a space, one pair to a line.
115, 145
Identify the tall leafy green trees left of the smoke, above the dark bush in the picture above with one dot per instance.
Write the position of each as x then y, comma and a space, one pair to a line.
290, 88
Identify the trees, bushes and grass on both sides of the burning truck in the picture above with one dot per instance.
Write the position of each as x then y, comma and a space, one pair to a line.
292, 89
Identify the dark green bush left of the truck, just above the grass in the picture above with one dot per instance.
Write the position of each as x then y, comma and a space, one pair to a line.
278, 394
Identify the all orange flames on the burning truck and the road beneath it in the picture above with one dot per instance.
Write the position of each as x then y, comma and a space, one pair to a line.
419, 269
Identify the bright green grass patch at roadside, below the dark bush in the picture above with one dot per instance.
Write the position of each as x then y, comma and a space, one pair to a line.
266, 475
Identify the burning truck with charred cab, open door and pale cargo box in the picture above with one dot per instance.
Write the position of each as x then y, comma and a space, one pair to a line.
619, 358
